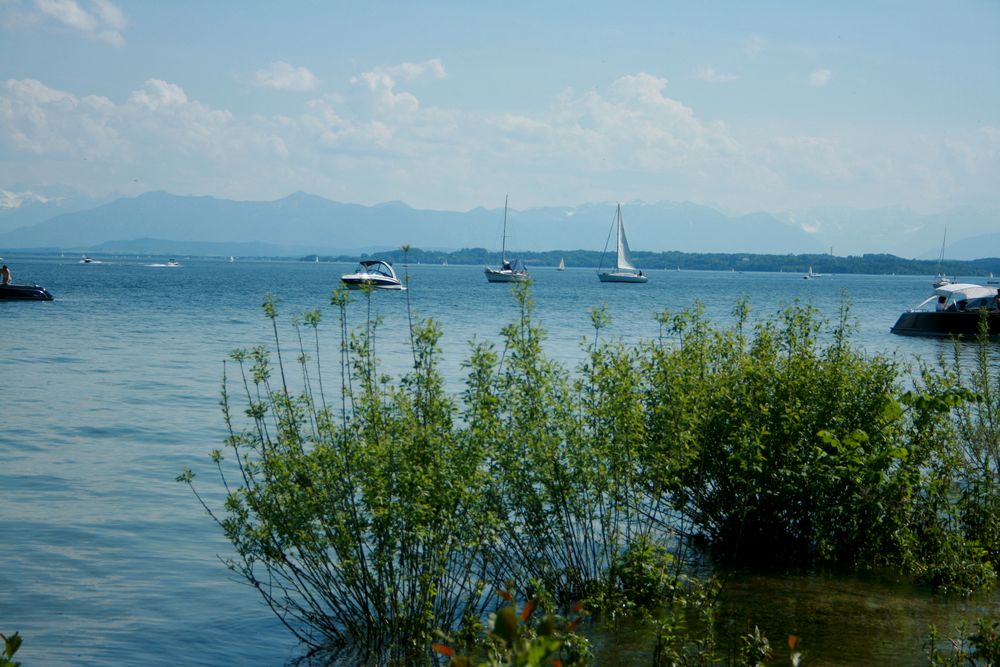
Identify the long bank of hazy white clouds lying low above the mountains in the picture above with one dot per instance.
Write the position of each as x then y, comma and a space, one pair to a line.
374, 141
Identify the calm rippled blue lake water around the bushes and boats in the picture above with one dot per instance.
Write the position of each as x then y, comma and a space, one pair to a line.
112, 389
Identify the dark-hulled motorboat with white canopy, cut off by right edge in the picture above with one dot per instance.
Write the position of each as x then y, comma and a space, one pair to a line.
954, 309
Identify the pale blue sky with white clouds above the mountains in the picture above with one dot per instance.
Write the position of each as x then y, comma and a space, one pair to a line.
745, 106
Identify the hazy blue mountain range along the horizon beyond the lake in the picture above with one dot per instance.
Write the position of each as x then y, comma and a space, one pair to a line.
159, 222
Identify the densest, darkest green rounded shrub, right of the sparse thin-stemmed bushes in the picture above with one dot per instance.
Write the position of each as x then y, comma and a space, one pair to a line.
776, 446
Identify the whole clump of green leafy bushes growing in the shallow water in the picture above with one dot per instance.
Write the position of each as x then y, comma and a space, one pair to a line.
376, 520
